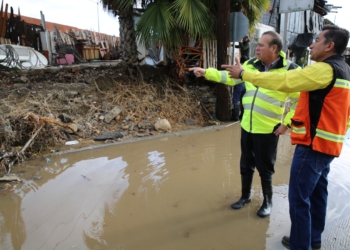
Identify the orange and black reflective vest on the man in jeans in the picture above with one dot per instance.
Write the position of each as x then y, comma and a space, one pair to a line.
321, 116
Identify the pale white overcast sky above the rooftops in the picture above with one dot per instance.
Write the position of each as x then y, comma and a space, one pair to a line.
84, 14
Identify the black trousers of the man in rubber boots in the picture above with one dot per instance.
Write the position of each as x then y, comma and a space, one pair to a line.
258, 151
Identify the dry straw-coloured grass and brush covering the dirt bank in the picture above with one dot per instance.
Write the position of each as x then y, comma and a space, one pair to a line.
86, 103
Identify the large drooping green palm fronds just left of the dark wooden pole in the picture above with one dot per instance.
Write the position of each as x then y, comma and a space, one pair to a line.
174, 22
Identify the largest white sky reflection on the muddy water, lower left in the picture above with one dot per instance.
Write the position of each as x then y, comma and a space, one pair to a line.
75, 199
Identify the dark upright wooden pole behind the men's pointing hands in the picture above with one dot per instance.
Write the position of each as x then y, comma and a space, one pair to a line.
223, 101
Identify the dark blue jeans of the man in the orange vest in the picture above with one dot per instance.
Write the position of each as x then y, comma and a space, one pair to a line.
308, 196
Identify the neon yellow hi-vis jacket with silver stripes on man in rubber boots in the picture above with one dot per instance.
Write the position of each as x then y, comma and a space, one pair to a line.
263, 109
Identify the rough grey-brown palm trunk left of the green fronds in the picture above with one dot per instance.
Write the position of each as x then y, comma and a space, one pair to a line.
128, 47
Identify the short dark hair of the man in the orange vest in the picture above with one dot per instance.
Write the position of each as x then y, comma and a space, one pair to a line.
338, 35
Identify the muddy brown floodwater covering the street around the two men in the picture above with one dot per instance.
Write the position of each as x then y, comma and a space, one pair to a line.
164, 193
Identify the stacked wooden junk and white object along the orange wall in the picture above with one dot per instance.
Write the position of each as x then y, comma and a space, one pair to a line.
28, 43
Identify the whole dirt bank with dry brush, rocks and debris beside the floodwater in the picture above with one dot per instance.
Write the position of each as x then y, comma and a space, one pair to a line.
42, 110
